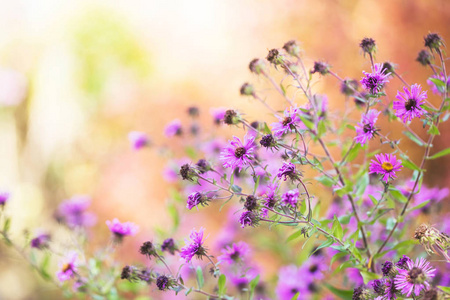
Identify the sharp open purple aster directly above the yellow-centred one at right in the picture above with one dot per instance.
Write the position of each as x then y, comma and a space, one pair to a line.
409, 104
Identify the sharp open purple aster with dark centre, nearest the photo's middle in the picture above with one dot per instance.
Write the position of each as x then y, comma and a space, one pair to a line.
237, 154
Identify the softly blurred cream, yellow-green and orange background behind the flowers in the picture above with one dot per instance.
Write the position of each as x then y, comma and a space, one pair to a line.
77, 76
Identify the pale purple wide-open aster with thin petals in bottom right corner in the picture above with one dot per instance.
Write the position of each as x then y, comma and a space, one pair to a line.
415, 277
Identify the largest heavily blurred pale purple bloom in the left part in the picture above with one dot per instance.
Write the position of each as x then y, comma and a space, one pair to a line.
73, 212
